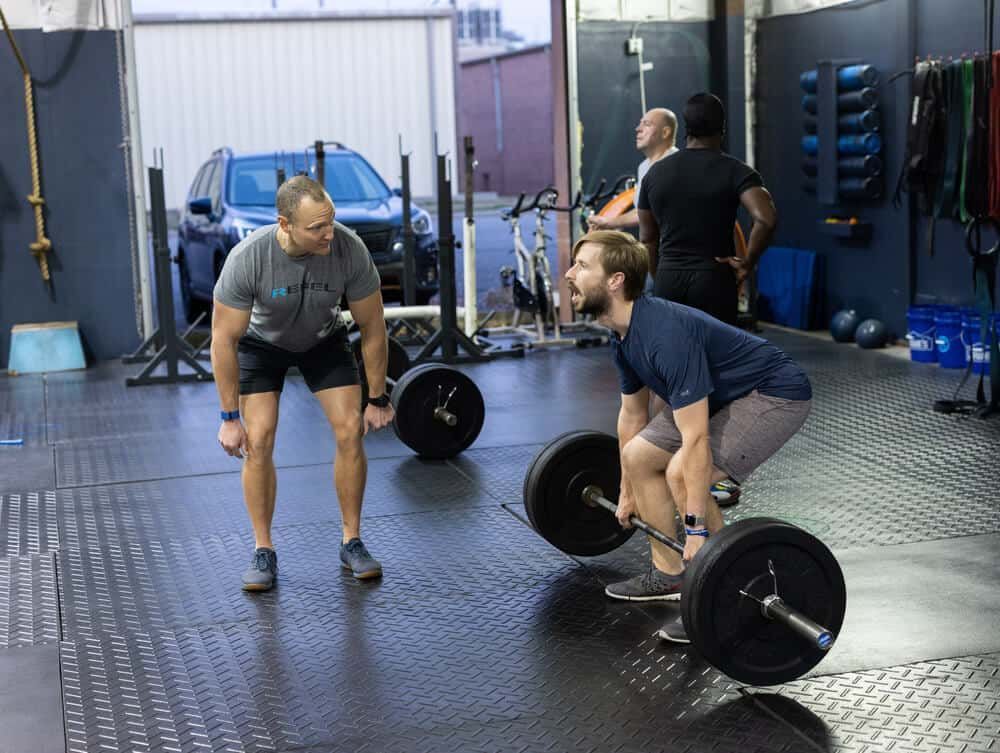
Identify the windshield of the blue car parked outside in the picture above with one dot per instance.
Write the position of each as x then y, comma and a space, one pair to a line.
253, 180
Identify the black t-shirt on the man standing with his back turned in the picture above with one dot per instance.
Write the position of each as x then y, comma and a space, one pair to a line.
694, 196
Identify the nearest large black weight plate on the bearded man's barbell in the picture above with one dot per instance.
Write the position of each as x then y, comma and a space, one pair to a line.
730, 630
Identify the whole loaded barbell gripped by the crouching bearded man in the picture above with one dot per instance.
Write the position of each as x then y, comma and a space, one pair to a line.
762, 601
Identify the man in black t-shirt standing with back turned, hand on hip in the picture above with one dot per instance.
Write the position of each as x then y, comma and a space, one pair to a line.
687, 210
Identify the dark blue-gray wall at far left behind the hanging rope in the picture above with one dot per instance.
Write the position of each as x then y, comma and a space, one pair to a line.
79, 126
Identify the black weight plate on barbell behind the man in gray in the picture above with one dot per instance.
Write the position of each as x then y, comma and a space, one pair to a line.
439, 410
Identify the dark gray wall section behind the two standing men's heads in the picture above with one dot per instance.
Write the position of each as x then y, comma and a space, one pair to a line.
610, 101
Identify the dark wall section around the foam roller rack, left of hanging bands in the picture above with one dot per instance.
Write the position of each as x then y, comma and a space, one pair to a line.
871, 277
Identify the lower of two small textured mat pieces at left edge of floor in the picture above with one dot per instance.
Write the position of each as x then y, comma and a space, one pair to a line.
29, 612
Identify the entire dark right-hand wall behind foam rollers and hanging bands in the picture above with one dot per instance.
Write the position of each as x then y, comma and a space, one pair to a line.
880, 278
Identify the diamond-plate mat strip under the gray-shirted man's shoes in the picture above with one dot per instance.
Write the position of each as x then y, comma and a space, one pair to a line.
151, 585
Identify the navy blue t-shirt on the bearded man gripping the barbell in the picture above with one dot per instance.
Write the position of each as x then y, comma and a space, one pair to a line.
683, 355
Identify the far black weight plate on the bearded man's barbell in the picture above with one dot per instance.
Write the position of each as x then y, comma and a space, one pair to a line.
553, 490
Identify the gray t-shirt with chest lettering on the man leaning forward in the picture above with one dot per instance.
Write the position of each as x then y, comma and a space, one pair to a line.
295, 301
